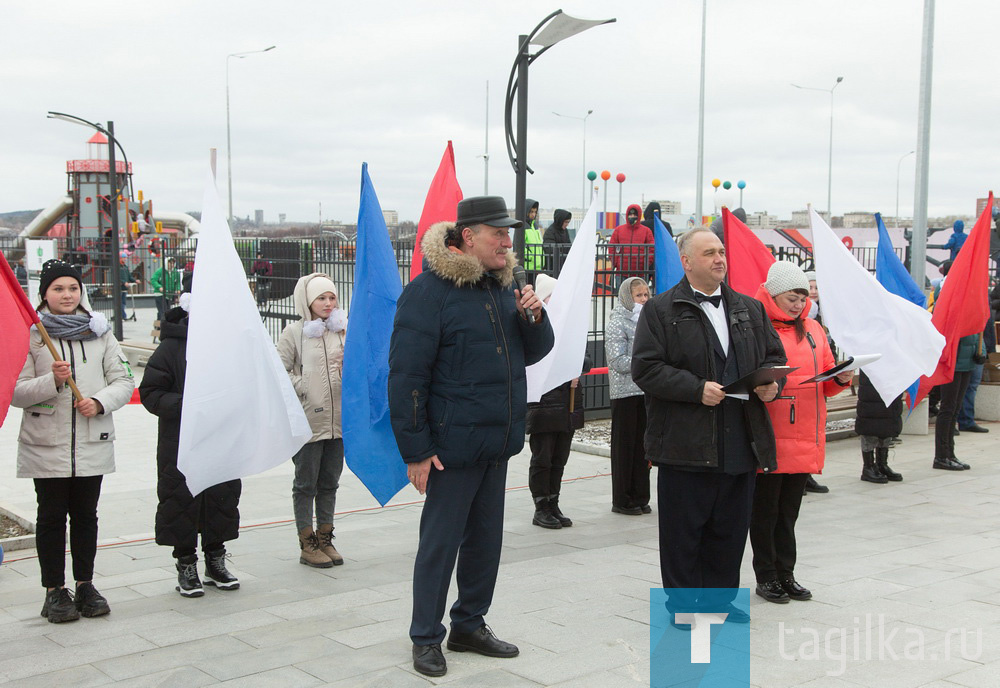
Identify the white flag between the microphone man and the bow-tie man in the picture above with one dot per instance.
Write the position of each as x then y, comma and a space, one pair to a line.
569, 312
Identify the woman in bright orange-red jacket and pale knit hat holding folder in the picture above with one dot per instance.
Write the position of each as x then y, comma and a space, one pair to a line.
799, 420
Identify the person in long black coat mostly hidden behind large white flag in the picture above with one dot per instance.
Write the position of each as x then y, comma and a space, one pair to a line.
180, 516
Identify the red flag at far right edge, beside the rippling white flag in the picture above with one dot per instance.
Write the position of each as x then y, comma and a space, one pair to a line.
962, 308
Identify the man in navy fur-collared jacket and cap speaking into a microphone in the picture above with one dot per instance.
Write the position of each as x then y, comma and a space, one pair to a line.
457, 399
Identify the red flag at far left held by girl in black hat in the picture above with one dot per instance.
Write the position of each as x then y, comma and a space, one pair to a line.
16, 319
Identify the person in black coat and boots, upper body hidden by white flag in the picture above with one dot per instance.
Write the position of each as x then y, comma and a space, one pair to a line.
877, 425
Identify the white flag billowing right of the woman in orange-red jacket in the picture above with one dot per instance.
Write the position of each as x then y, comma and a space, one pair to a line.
863, 317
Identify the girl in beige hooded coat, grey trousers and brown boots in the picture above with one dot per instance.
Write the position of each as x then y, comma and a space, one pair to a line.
312, 351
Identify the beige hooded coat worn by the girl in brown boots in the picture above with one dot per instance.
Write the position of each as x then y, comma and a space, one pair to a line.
315, 366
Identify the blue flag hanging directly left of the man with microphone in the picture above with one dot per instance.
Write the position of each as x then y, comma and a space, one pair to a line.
369, 445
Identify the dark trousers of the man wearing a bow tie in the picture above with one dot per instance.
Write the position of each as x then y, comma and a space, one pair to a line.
704, 533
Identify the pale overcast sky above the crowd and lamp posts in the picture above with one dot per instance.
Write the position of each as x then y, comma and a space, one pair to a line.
389, 83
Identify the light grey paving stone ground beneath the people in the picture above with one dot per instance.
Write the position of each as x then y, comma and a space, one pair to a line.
917, 561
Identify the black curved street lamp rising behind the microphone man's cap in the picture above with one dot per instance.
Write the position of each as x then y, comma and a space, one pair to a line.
554, 28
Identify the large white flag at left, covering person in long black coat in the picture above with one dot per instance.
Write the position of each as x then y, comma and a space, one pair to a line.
240, 414
